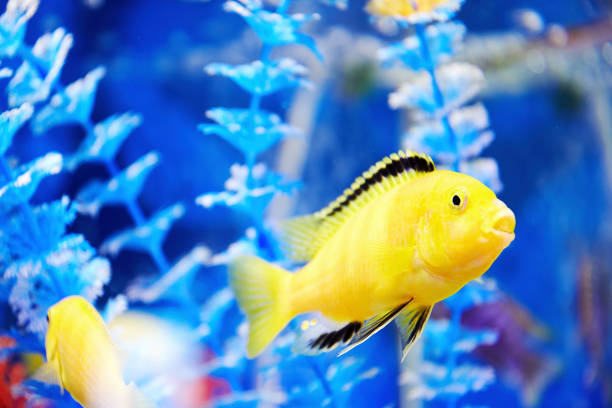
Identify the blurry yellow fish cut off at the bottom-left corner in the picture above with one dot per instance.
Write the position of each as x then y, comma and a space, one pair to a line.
82, 358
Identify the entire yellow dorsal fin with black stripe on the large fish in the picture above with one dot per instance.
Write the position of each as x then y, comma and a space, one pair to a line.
302, 237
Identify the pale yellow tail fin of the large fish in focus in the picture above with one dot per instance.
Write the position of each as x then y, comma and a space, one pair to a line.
261, 290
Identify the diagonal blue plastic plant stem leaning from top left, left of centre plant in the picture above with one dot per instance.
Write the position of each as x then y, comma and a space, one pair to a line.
35, 79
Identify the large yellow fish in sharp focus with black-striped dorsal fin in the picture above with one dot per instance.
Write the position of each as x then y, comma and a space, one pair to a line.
402, 238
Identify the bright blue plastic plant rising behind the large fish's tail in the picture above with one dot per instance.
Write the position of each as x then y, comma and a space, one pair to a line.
252, 131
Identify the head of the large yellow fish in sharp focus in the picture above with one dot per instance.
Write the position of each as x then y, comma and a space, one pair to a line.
464, 227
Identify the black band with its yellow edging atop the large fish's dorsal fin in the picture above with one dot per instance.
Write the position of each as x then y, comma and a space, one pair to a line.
383, 172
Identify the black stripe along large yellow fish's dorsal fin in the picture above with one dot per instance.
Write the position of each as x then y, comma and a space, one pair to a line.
393, 166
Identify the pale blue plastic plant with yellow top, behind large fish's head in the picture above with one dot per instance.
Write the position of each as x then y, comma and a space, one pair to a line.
454, 134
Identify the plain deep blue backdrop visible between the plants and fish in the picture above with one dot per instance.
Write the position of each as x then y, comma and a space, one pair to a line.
549, 155
